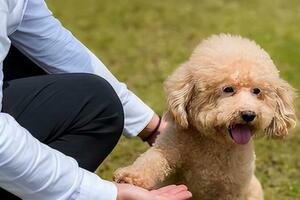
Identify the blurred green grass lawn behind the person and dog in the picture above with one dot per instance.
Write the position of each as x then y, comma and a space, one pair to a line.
142, 42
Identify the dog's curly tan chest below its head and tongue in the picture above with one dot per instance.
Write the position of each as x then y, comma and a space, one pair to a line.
213, 173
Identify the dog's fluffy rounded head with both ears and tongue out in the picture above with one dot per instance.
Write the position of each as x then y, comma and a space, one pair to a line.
229, 89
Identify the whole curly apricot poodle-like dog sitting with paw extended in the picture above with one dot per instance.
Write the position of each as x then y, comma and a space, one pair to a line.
227, 91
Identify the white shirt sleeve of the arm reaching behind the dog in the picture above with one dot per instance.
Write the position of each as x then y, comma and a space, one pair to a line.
43, 39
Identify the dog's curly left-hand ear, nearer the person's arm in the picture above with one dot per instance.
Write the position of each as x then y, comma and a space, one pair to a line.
179, 87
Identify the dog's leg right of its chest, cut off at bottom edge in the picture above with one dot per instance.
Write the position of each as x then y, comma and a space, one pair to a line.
255, 191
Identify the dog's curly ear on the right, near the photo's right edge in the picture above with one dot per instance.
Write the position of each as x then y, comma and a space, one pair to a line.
284, 117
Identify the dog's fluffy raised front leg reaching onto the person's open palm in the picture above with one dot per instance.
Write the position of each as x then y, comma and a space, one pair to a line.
148, 170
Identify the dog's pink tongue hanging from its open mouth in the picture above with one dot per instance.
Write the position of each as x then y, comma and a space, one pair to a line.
241, 134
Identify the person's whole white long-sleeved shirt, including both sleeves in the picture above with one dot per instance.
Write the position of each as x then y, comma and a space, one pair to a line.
28, 168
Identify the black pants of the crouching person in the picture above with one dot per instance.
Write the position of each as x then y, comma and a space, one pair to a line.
78, 114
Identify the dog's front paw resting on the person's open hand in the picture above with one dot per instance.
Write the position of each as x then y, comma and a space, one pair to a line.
131, 176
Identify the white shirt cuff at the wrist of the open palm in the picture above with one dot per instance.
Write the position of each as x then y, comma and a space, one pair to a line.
94, 188
